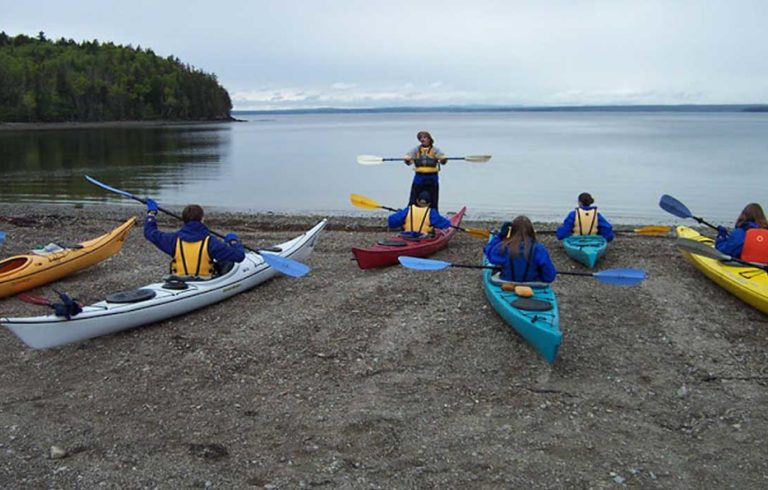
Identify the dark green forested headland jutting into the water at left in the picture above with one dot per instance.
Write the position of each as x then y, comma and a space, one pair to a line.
65, 81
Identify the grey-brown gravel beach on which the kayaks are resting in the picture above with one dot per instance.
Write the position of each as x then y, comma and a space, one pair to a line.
385, 378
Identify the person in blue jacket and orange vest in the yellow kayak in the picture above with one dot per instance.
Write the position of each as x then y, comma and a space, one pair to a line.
749, 238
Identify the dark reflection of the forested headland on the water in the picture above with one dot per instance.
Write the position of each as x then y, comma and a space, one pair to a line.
49, 165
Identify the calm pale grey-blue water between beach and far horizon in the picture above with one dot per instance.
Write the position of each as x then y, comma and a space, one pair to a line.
714, 163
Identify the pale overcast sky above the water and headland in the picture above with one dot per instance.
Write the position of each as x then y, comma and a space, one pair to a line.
370, 53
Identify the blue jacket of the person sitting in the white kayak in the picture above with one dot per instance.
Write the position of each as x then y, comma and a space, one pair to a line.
193, 231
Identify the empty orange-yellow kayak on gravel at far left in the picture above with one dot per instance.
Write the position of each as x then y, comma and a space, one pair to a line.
52, 262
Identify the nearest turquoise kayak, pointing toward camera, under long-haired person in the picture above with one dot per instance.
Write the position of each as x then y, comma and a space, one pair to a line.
536, 318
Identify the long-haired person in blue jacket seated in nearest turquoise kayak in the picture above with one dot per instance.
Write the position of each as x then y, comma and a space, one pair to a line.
521, 257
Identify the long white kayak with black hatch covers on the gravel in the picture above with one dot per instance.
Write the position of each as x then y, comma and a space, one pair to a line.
155, 302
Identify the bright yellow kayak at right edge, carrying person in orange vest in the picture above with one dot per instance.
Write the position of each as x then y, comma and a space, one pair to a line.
749, 284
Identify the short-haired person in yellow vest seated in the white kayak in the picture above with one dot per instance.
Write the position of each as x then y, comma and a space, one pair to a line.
195, 251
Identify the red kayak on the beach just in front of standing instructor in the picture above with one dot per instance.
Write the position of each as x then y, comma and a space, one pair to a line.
387, 251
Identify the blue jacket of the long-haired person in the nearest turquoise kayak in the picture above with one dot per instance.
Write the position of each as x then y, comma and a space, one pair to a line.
540, 269
